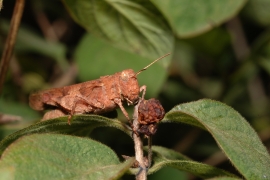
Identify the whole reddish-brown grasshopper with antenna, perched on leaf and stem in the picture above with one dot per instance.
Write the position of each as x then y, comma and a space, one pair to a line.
97, 96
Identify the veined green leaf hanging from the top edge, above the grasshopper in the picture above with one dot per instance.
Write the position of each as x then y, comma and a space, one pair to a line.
126, 24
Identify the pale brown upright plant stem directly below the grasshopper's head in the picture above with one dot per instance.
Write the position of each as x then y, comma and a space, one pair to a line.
142, 174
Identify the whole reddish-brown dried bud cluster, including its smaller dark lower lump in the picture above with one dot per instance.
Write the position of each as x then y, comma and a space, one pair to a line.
150, 113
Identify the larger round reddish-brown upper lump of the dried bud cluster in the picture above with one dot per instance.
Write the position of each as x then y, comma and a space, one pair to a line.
150, 111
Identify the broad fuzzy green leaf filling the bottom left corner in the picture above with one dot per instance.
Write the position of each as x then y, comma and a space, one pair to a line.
54, 156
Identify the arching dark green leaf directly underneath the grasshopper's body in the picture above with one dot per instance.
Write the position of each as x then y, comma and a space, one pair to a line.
80, 125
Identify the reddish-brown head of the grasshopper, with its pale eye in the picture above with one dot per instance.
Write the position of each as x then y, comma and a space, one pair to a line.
129, 86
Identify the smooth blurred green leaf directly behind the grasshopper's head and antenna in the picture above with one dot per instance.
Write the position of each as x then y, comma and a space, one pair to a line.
96, 58
